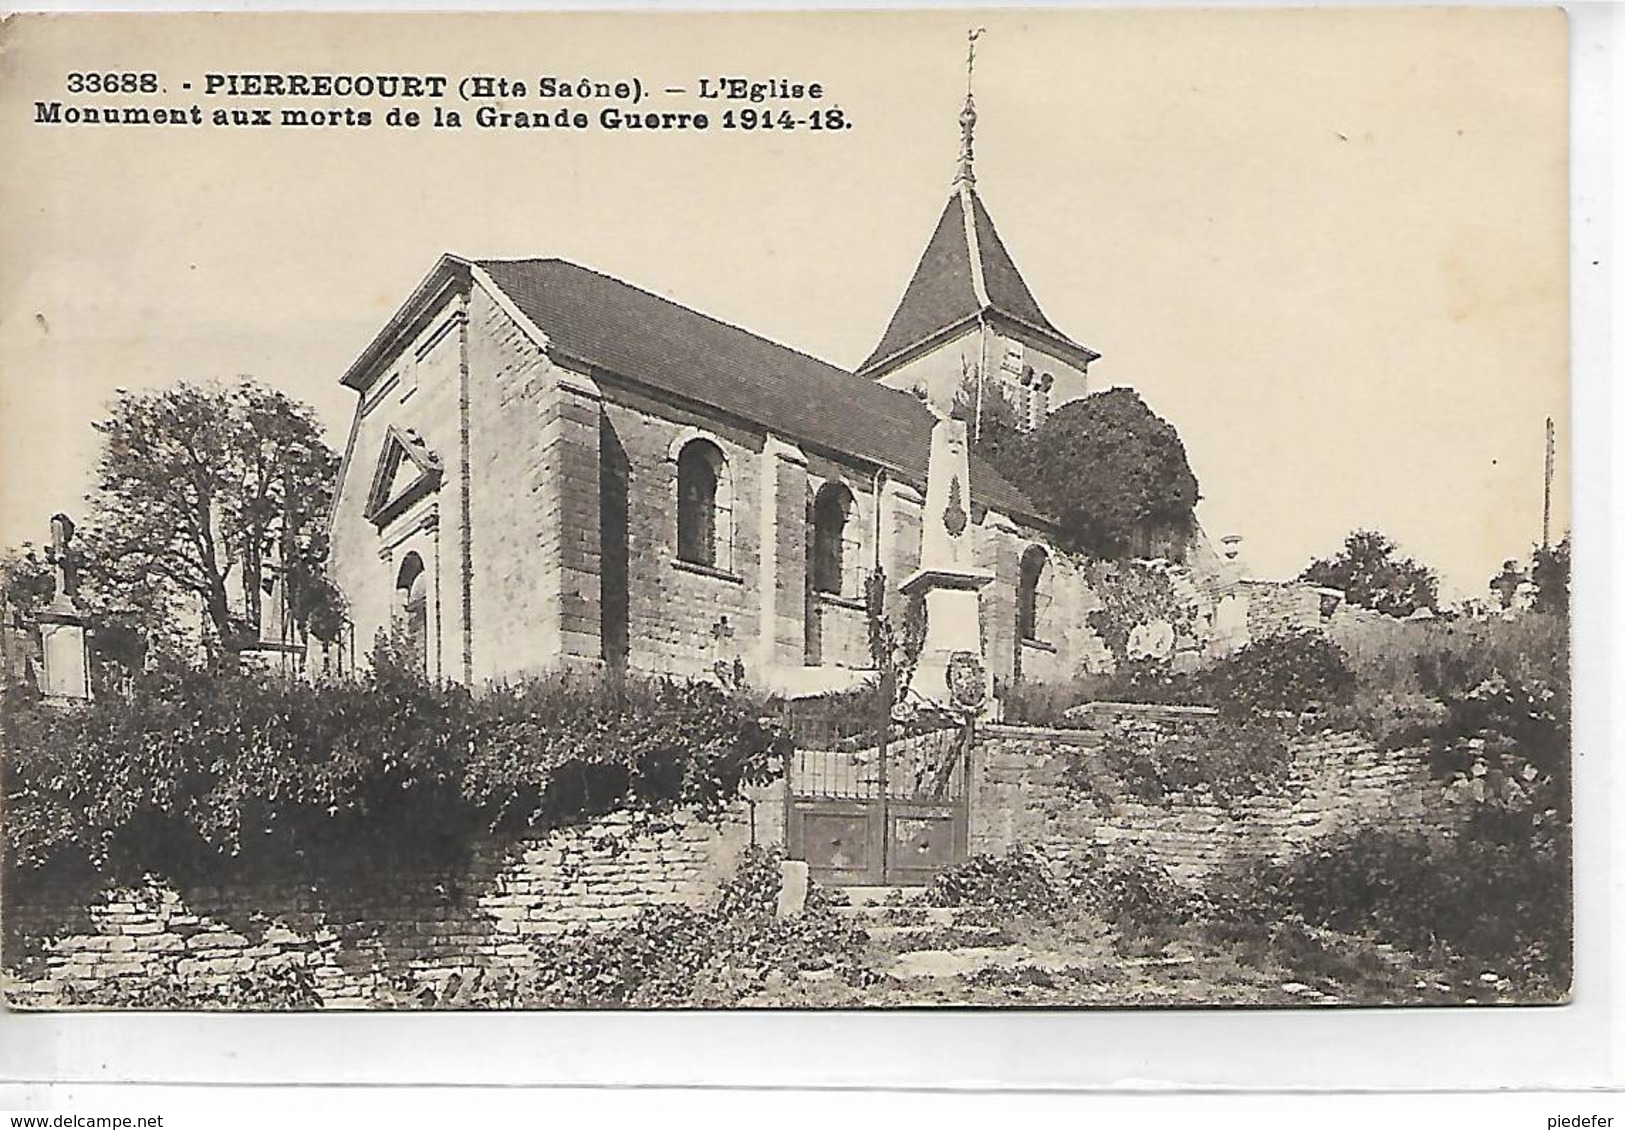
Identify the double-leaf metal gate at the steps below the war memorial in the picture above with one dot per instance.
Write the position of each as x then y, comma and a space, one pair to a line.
878, 806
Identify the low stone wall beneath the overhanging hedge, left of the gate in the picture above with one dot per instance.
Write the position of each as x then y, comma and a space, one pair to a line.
417, 929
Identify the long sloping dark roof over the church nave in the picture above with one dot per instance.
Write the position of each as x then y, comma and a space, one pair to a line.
659, 344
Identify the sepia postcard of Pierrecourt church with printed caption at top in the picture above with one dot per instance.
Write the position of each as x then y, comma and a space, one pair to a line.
786, 510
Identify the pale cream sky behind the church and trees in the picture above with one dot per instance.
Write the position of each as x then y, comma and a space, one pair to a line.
1330, 248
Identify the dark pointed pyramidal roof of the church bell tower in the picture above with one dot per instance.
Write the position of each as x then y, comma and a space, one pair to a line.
943, 290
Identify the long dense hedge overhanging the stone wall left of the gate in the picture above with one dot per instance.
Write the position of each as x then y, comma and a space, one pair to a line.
209, 775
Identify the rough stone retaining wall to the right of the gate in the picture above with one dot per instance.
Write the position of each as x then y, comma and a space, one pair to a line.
1338, 780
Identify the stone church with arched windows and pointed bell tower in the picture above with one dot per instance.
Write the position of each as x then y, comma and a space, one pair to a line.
550, 467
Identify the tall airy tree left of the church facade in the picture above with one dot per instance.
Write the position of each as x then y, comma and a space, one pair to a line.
202, 493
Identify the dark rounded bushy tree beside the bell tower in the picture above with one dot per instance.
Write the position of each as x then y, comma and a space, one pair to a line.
1111, 472
